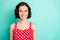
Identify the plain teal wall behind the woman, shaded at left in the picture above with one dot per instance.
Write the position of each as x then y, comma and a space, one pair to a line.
45, 14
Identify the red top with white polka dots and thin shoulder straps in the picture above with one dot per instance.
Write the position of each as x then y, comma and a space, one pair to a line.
26, 34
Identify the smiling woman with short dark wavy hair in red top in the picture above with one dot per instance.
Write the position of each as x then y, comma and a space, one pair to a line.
23, 29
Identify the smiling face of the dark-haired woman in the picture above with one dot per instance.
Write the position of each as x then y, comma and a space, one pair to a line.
23, 12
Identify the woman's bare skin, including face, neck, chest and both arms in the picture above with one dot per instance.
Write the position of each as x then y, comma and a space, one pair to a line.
23, 23
